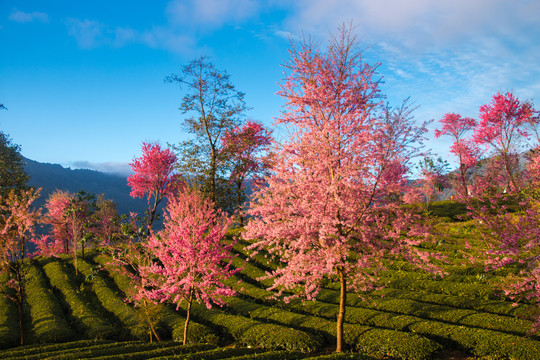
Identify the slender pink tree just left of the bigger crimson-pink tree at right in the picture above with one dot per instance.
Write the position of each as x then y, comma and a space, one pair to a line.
457, 127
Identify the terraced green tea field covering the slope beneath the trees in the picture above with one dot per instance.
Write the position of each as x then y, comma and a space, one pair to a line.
413, 317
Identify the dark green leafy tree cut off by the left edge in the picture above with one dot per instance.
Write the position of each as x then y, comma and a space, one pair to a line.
12, 173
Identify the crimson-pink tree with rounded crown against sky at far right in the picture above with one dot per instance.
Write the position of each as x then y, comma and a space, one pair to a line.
502, 128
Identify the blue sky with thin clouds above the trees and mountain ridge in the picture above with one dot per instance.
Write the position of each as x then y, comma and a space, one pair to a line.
83, 80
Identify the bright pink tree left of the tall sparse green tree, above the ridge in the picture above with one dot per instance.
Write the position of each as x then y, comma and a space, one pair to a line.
153, 177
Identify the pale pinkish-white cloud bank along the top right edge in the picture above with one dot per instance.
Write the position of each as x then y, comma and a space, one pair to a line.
416, 25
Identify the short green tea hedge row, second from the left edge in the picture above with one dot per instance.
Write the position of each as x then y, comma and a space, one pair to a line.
47, 317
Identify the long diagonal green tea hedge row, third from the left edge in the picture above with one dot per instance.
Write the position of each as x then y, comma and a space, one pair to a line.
88, 320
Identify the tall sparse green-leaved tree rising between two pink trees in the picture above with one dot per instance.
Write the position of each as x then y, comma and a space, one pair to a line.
214, 106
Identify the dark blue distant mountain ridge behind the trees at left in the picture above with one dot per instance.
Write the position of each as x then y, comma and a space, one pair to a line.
53, 176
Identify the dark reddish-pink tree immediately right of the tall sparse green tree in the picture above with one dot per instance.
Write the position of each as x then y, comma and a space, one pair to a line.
247, 150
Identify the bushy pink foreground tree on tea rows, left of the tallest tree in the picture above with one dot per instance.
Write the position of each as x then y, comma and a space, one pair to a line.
191, 255
